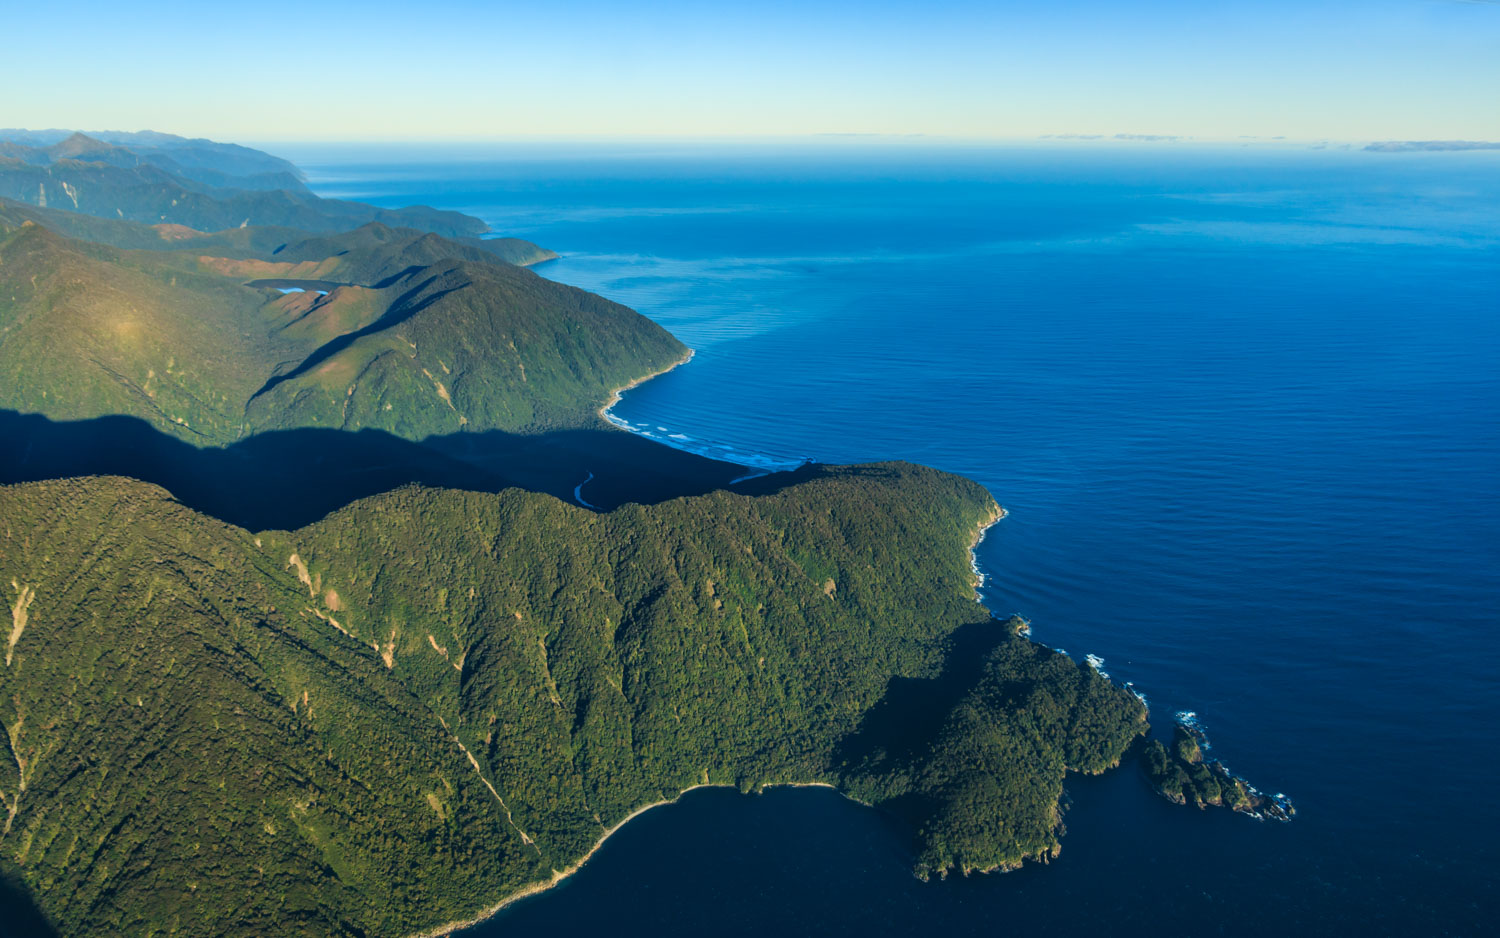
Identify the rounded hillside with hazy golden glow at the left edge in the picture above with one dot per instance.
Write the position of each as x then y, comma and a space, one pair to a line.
85, 334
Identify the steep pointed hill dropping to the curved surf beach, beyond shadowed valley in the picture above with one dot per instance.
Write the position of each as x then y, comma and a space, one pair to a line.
452, 347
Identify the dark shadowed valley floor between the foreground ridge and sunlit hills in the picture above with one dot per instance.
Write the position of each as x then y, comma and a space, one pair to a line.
287, 480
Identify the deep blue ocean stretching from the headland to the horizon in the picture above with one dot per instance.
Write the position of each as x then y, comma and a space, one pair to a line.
1244, 407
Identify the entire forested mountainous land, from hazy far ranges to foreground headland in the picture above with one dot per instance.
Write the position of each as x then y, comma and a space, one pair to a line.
311, 634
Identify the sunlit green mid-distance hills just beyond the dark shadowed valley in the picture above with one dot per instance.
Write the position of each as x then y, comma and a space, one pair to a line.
425, 337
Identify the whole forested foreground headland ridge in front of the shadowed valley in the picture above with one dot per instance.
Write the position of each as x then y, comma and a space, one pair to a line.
433, 699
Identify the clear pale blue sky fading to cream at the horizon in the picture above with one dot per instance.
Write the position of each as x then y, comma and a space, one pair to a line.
461, 70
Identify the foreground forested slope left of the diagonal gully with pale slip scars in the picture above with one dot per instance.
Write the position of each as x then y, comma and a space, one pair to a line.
193, 756
